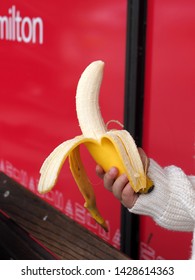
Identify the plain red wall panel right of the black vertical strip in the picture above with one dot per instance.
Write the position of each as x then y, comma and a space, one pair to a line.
169, 126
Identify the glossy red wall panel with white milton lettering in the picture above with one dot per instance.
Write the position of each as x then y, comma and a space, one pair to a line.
44, 47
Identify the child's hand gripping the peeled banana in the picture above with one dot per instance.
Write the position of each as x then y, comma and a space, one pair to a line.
120, 186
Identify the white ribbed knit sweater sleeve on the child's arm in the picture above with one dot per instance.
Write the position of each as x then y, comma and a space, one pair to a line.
172, 202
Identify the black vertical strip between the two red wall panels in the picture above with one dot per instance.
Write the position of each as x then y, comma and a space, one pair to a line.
133, 112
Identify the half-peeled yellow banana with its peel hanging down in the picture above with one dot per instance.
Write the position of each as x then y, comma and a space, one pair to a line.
107, 147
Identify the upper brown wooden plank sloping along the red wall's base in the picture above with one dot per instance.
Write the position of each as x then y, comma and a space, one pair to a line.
57, 232
